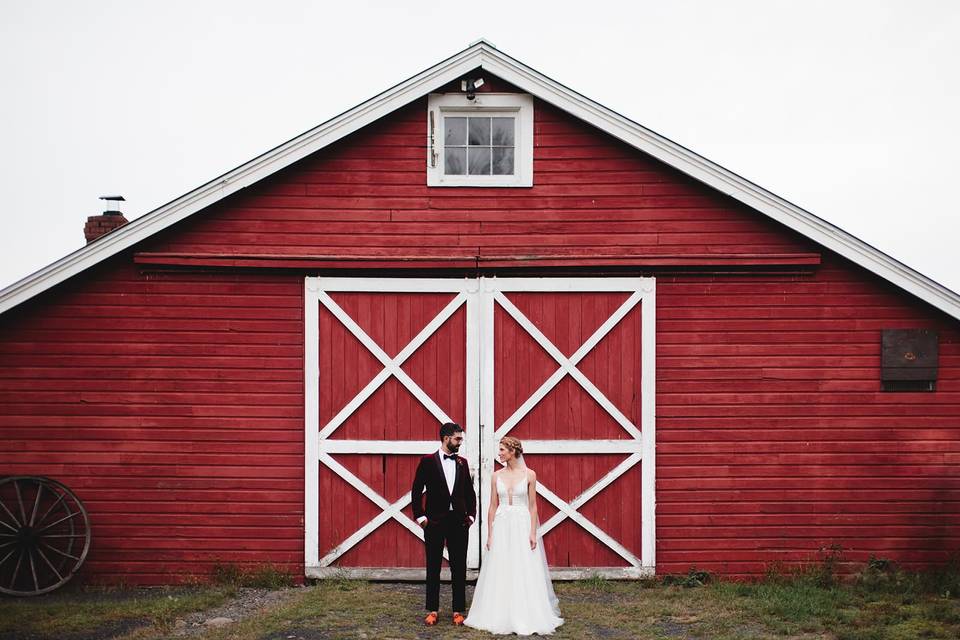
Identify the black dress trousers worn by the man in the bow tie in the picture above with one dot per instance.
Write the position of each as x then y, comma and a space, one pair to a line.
452, 532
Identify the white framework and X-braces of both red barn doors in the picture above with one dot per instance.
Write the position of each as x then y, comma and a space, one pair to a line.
480, 295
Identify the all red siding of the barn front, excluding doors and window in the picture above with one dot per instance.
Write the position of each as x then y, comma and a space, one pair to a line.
172, 401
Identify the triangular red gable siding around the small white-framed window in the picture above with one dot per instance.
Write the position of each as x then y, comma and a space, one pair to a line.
367, 195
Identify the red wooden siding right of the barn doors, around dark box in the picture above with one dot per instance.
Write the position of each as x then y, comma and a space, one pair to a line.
774, 440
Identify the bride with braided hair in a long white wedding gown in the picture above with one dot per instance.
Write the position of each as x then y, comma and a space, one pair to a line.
514, 593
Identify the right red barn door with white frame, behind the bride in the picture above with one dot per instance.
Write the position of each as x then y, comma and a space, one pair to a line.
568, 366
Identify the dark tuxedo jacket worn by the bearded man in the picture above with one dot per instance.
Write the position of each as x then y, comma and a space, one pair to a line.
435, 504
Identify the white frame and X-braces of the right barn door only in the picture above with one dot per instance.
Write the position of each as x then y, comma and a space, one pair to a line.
641, 446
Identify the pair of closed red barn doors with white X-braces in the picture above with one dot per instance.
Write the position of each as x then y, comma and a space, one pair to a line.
567, 365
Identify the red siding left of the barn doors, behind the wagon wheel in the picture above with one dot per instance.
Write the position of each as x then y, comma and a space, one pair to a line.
172, 405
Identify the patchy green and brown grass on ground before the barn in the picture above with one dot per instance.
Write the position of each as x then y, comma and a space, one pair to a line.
881, 603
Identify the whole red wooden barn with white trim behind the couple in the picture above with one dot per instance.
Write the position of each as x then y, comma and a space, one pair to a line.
703, 373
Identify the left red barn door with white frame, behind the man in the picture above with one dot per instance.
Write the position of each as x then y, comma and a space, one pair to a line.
386, 362
